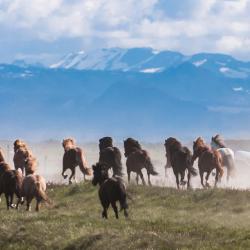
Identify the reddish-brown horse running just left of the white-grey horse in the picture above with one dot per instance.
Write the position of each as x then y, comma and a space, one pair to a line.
208, 160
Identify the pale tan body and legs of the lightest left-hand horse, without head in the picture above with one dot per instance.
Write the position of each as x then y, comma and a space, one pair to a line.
34, 186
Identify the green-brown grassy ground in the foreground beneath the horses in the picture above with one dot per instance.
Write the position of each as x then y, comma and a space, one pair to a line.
160, 218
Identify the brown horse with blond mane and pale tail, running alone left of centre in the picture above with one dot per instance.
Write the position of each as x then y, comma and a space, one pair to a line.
73, 157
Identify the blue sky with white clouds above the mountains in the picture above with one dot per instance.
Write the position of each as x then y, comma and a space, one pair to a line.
45, 30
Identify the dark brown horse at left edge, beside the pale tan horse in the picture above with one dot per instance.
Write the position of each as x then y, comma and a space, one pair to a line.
10, 184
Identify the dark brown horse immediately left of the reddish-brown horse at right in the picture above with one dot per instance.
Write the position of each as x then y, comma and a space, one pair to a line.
180, 158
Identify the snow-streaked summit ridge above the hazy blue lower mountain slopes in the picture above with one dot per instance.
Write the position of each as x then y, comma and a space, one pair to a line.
147, 60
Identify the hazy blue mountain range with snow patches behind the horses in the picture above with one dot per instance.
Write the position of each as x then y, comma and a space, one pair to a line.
136, 92
